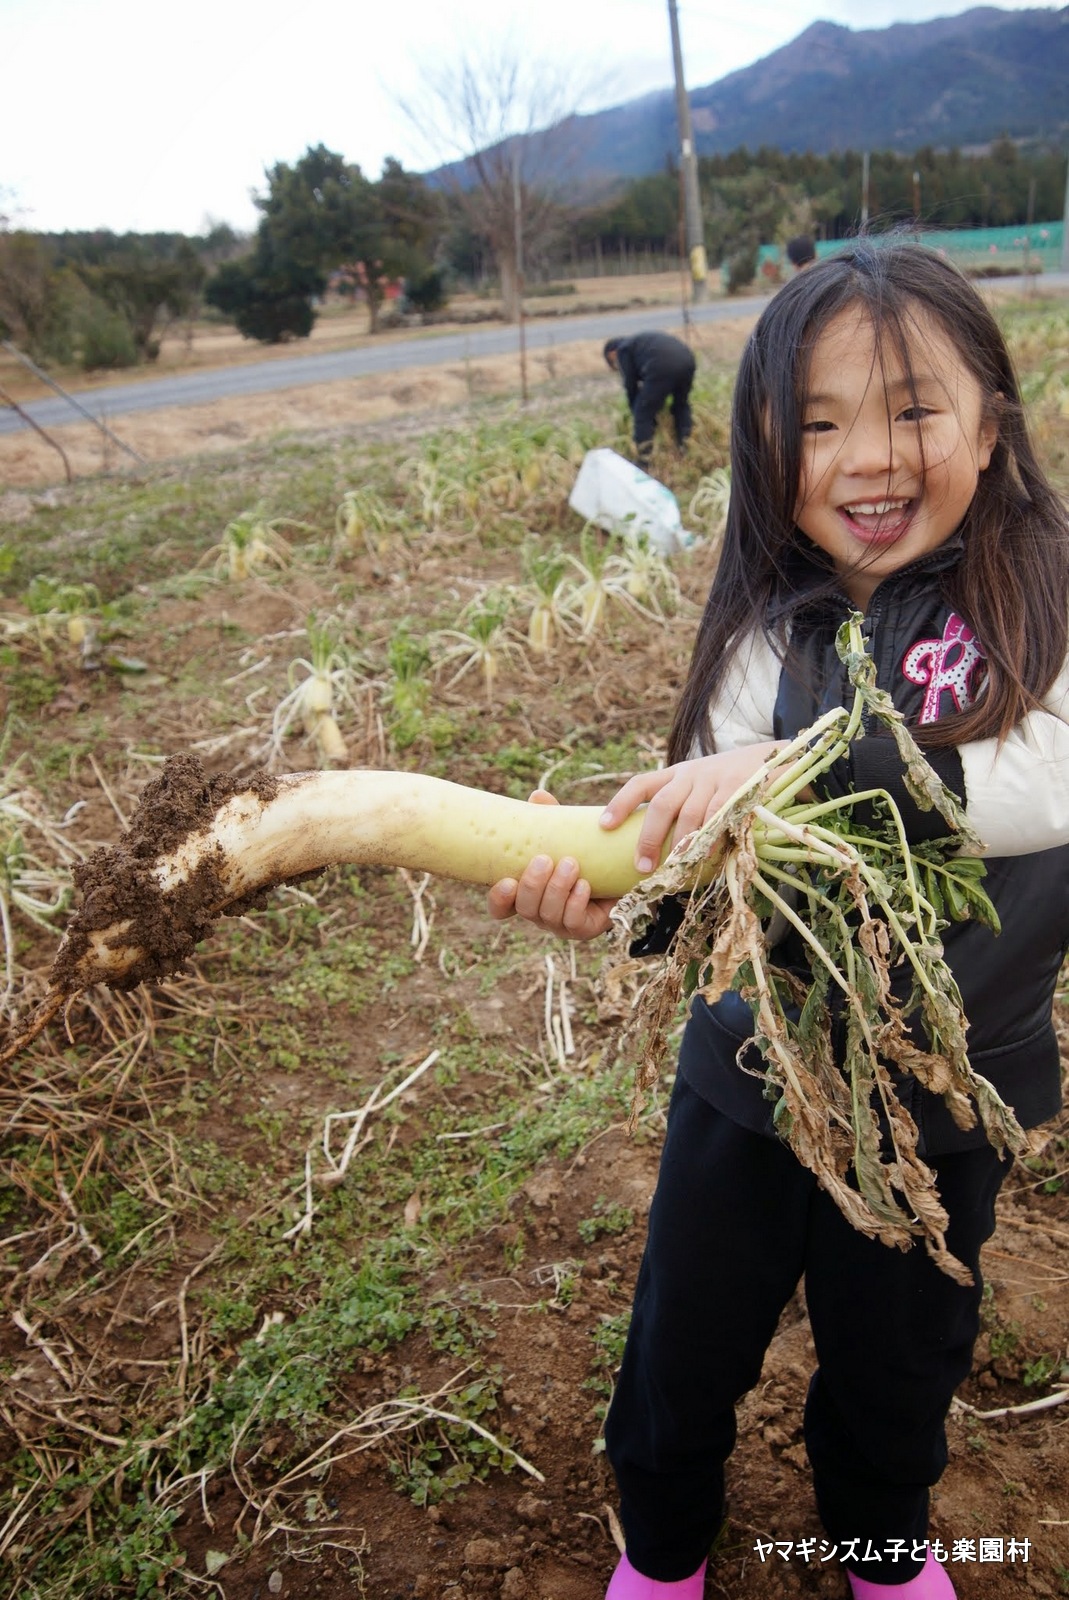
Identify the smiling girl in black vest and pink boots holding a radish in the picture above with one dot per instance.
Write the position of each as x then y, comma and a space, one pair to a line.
881, 463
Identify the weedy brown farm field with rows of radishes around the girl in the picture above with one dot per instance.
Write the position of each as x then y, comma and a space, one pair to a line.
318, 1257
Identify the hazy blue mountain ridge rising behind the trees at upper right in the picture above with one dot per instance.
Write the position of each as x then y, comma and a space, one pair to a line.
958, 81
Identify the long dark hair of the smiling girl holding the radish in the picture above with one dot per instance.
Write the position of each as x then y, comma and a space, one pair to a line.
1012, 583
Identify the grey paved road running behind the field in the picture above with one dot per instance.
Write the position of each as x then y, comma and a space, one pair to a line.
297, 372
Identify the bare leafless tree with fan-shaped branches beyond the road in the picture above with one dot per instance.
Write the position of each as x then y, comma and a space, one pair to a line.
513, 130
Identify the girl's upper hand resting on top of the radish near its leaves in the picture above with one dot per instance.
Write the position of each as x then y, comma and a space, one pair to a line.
683, 798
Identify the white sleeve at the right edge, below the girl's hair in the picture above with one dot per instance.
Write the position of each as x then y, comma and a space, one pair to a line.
1017, 793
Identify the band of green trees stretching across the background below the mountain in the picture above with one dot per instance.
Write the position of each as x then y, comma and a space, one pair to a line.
106, 300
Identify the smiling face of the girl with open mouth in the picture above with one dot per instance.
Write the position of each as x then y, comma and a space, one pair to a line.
889, 468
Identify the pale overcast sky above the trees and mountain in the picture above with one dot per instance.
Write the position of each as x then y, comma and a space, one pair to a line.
140, 116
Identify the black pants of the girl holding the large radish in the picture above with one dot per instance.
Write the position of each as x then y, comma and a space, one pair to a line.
735, 1225
